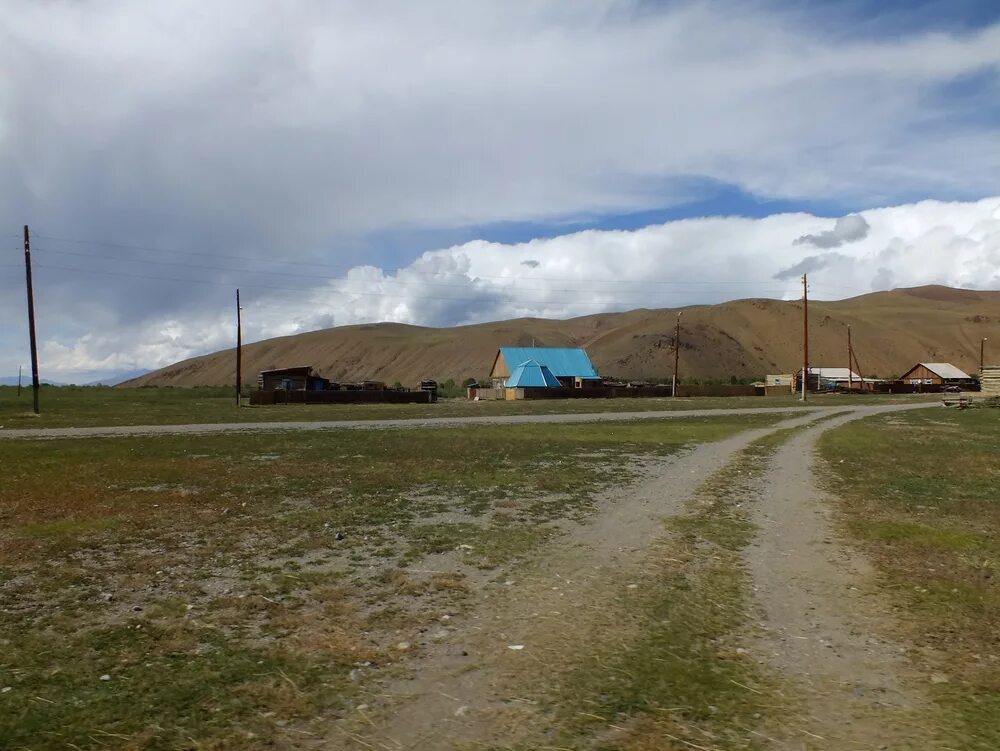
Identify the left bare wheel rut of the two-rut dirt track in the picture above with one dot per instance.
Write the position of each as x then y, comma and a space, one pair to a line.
464, 691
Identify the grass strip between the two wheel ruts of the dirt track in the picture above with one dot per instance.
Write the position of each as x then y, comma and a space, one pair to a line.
667, 670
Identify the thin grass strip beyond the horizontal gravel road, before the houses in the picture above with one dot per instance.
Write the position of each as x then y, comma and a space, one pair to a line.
79, 407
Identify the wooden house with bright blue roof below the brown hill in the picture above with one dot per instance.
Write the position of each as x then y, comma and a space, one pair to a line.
543, 367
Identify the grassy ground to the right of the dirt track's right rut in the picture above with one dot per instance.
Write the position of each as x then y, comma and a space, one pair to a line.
922, 491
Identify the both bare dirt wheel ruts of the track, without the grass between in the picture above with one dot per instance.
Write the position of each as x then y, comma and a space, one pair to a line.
825, 631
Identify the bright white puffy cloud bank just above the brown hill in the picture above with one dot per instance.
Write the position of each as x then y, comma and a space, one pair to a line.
678, 263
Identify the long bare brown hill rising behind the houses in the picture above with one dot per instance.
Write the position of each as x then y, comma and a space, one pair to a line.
747, 338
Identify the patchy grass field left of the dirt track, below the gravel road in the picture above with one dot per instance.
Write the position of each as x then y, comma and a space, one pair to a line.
232, 592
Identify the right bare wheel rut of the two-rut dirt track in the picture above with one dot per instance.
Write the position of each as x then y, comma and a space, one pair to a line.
826, 628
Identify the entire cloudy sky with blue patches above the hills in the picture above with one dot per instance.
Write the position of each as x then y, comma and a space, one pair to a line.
447, 162
